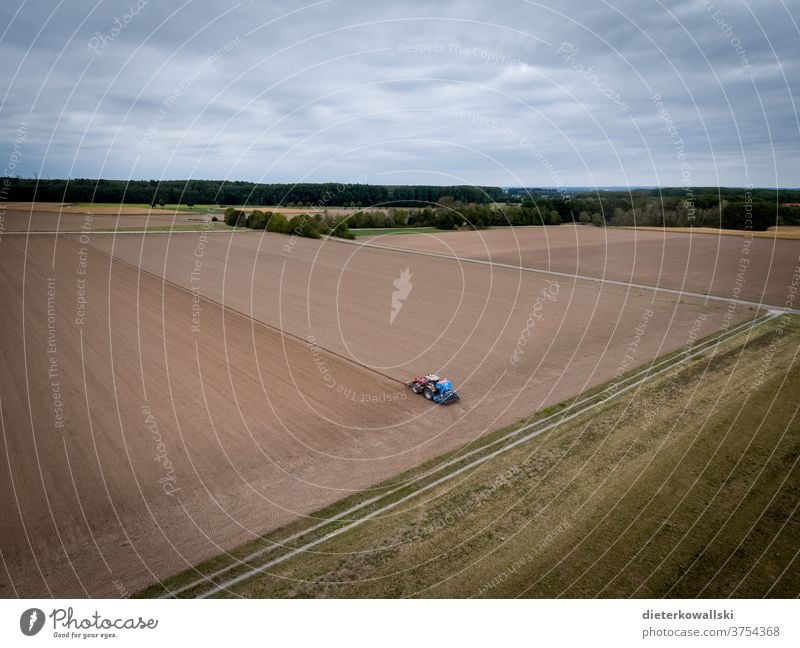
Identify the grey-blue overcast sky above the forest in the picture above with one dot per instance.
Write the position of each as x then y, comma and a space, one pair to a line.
510, 93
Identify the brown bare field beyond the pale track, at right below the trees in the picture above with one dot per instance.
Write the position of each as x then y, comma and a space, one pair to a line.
705, 264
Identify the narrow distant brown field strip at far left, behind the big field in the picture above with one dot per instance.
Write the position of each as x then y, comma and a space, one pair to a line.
66, 221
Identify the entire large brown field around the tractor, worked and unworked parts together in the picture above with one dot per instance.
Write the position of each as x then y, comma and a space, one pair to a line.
263, 437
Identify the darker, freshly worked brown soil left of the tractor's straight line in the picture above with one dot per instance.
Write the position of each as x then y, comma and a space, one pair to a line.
134, 446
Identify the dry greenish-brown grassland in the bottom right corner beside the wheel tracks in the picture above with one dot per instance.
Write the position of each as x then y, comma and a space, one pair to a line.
687, 487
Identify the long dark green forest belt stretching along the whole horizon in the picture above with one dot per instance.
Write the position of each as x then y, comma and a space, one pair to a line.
447, 207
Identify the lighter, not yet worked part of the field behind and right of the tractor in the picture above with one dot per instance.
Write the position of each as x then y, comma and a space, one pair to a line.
513, 341
